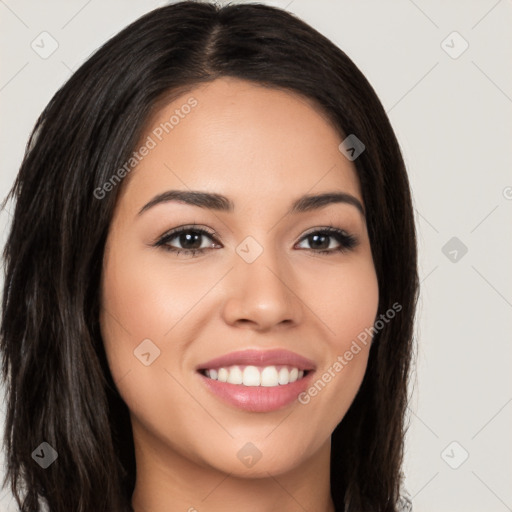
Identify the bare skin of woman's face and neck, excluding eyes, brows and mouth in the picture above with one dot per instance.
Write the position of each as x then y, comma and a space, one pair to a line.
263, 148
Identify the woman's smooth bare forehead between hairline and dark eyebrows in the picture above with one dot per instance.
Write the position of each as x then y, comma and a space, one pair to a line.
244, 140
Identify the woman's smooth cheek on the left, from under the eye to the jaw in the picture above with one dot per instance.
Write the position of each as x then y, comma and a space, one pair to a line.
147, 318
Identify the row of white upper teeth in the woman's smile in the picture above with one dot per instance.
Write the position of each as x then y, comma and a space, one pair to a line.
256, 376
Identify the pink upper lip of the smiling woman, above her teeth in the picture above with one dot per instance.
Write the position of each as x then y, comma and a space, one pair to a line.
259, 358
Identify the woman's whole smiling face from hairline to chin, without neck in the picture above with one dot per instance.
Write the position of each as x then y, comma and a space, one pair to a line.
283, 292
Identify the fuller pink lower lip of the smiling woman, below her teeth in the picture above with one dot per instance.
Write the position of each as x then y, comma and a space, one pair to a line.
258, 398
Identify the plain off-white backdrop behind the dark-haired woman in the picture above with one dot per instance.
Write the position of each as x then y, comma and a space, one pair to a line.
440, 69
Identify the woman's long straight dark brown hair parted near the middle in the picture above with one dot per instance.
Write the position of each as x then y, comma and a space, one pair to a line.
59, 387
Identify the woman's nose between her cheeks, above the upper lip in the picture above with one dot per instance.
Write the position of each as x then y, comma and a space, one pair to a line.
262, 294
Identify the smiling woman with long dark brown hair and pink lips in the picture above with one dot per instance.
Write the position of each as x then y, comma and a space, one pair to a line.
211, 277
